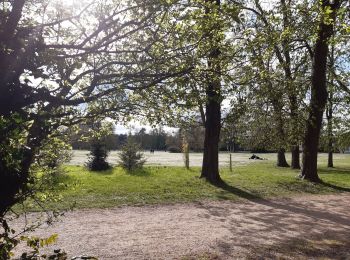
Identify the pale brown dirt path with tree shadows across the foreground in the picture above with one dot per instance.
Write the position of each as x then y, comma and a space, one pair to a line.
305, 227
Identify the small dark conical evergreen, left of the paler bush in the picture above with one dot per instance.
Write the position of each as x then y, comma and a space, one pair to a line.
97, 157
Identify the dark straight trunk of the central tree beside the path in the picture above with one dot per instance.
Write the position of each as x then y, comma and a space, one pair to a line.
210, 169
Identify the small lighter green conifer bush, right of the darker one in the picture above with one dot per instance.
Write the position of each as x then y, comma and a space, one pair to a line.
130, 157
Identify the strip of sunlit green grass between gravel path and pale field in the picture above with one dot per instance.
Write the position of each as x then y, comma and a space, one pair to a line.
154, 185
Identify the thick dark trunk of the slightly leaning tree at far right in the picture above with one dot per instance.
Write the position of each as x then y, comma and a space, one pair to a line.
318, 96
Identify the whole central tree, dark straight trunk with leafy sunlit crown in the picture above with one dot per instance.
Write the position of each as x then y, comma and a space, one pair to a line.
195, 33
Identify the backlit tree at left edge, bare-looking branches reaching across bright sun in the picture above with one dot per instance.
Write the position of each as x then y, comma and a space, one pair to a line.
55, 72
